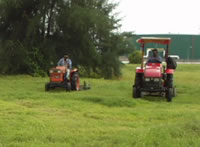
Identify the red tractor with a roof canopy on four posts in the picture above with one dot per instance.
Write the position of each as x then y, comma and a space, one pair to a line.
155, 77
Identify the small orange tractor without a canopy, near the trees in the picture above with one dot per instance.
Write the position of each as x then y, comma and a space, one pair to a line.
58, 79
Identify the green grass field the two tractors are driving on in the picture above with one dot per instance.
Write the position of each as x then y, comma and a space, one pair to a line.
106, 115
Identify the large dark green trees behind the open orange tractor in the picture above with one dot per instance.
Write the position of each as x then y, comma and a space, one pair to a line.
36, 33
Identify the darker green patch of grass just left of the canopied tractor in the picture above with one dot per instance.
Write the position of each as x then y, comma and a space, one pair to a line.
115, 102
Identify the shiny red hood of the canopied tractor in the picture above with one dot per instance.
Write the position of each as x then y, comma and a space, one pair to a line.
153, 70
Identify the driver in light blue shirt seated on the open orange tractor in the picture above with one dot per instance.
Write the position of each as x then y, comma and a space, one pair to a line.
66, 61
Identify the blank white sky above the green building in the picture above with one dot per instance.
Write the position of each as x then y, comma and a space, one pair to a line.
159, 16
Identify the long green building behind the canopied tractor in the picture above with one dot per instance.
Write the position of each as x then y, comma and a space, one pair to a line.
187, 47
